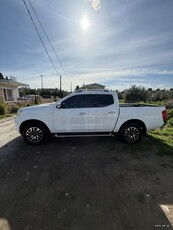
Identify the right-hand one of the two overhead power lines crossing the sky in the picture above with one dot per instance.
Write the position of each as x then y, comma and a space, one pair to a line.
48, 40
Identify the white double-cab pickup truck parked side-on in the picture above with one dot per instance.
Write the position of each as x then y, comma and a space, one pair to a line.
84, 113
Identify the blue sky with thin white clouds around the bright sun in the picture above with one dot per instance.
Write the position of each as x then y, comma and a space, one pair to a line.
127, 42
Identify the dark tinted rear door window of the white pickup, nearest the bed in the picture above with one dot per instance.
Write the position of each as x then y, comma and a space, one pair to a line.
101, 100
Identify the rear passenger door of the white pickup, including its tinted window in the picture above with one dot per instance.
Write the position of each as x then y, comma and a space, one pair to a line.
102, 114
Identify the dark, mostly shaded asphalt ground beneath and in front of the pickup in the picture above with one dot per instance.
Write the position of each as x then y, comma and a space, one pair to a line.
83, 184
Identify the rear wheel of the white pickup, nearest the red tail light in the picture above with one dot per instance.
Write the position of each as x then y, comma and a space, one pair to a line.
131, 133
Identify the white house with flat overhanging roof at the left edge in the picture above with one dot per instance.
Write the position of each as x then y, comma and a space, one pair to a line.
9, 89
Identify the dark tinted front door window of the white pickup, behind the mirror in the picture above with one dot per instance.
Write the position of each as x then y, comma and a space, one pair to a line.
78, 101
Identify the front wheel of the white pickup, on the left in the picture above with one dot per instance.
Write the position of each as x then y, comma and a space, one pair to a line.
35, 133
